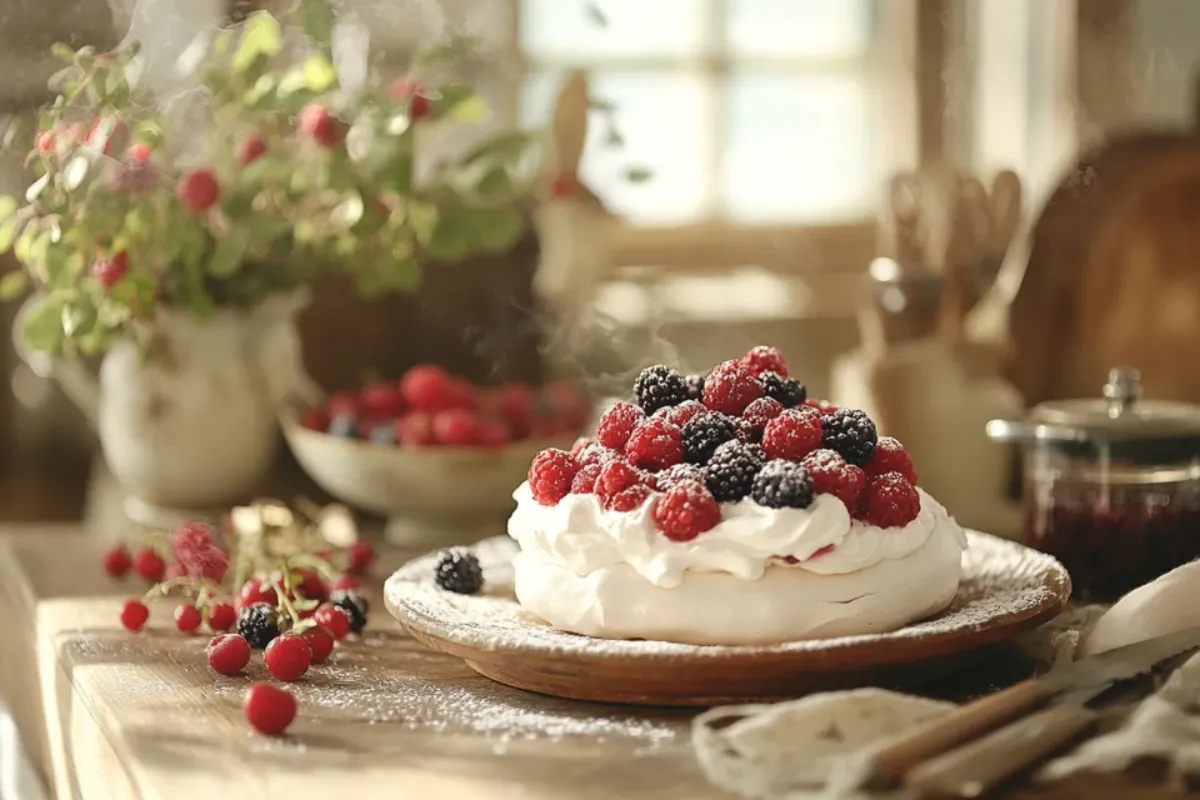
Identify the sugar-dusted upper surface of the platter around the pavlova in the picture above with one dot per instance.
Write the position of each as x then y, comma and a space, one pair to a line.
1001, 580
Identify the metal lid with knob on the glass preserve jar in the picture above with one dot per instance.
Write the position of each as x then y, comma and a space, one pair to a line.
1120, 425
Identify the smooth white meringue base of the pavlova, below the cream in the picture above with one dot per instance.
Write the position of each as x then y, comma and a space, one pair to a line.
787, 604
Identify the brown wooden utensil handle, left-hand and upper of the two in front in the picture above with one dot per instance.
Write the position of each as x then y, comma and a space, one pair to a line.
892, 762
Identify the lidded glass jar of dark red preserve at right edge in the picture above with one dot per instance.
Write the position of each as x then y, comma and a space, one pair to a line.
1112, 485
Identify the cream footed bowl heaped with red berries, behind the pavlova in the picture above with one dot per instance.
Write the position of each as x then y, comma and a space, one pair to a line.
434, 454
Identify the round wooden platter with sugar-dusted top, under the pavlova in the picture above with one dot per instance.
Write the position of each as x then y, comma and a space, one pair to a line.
1006, 590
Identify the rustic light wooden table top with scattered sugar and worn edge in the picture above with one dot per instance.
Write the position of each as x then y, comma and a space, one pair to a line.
107, 714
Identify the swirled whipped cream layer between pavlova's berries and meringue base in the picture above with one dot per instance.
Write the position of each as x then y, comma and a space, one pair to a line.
579, 536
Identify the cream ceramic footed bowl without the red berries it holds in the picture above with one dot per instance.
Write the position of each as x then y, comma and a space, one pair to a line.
429, 495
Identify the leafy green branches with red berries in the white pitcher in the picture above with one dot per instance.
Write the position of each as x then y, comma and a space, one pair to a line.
263, 175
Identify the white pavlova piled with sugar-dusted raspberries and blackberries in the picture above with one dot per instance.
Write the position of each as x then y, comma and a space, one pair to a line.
731, 509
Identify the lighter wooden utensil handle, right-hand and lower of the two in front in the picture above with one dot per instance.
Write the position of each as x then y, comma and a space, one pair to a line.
975, 769
